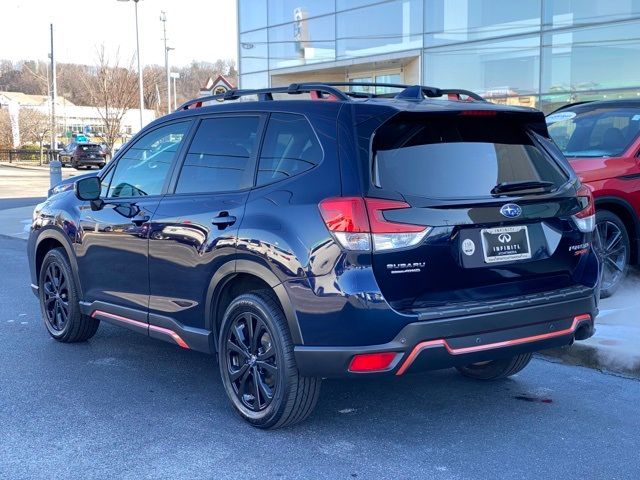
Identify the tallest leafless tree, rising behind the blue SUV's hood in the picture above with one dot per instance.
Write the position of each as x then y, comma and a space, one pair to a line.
112, 89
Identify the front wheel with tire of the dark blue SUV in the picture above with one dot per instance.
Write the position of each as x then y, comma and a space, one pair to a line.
60, 296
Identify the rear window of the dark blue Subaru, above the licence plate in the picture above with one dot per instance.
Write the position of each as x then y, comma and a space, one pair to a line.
457, 158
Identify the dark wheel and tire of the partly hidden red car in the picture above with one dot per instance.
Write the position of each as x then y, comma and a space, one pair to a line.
611, 242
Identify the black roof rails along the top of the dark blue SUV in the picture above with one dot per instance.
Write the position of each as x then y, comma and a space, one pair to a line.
408, 92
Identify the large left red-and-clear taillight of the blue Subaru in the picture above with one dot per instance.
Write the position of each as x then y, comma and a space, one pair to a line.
359, 224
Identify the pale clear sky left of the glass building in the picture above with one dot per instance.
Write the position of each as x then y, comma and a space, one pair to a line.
203, 30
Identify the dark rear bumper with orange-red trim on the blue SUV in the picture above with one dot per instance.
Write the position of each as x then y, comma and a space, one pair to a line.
436, 344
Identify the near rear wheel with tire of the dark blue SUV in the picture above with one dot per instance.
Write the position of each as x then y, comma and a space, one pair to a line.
267, 361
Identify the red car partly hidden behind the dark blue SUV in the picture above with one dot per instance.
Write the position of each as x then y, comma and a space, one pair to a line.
602, 142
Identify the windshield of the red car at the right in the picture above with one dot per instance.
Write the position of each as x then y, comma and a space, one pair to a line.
601, 132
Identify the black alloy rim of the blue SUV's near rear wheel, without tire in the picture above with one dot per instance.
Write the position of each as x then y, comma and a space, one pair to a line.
251, 361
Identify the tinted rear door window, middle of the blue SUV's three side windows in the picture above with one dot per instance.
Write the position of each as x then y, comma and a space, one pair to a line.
218, 159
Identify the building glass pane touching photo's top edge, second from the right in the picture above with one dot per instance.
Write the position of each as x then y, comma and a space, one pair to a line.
452, 21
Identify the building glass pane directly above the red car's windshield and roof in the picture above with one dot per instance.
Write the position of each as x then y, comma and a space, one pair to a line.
594, 58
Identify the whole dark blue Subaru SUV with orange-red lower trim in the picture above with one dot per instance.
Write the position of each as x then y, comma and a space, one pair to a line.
344, 234
